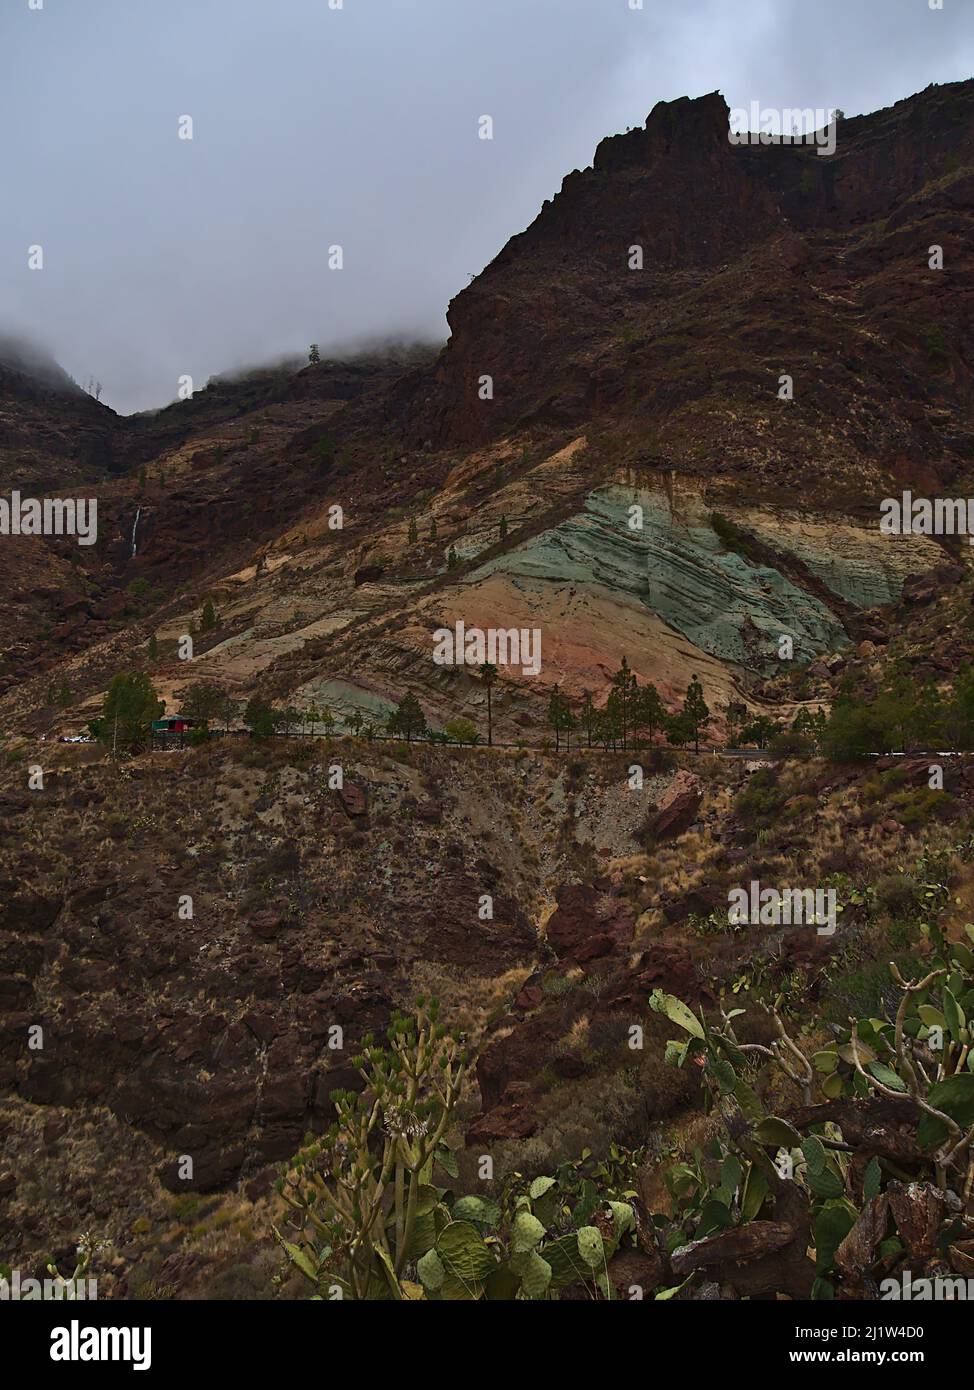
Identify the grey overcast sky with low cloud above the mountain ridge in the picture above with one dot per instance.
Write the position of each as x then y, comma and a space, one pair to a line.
355, 127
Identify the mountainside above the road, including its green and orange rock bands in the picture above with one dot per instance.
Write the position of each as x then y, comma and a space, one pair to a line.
612, 389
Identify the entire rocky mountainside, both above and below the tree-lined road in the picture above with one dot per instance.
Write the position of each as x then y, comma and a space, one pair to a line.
619, 394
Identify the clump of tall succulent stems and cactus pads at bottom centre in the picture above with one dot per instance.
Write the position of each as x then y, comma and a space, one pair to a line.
370, 1221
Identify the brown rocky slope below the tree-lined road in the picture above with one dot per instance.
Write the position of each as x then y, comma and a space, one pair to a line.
213, 1036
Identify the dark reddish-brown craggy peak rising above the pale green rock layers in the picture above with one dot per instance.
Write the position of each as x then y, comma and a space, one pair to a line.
758, 261
